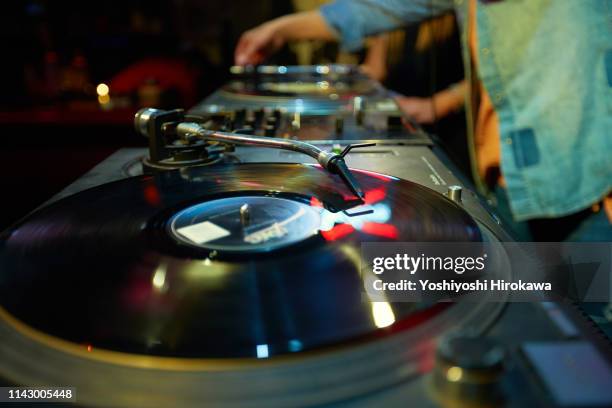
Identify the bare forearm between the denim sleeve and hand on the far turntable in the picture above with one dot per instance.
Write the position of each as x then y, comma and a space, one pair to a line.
308, 25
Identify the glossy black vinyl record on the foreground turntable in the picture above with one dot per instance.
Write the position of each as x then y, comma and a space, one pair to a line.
250, 260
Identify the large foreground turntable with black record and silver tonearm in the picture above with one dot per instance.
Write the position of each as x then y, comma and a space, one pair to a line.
228, 275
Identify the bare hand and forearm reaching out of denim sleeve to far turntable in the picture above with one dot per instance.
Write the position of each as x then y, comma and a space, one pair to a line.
256, 44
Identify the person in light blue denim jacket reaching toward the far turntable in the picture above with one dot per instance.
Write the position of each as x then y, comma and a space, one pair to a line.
538, 99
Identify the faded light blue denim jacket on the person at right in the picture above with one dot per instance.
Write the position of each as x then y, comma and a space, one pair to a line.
547, 66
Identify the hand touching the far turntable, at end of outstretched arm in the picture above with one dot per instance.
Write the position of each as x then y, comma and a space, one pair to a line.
257, 44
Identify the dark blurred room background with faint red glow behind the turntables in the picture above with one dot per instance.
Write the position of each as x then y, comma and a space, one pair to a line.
53, 124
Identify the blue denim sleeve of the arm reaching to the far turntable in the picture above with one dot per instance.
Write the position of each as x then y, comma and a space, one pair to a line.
354, 20
